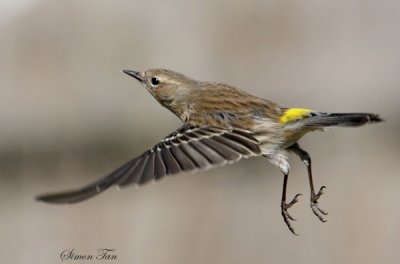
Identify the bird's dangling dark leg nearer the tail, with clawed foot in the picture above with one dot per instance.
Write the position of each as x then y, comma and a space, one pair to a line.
305, 157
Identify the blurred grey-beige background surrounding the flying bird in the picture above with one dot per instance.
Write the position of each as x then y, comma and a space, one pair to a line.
68, 116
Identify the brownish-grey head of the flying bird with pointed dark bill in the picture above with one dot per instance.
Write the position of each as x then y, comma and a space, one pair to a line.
168, 87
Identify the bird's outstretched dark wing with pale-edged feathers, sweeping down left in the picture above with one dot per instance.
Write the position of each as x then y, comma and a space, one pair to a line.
186, 150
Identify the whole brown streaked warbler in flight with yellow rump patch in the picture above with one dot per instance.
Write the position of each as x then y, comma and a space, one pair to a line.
222, 124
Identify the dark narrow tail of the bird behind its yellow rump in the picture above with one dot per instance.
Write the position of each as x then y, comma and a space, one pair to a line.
341, 119
